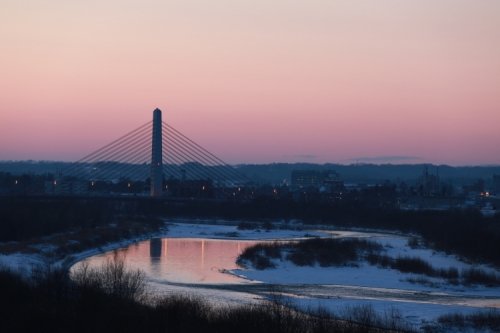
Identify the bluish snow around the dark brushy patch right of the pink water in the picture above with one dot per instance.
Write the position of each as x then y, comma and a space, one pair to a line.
366, 275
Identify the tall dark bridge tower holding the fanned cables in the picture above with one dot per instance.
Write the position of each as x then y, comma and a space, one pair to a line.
156, 156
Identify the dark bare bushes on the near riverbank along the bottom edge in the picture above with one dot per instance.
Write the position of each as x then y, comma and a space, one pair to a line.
109, 300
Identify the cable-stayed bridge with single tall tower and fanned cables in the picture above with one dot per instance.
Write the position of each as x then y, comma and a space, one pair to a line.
154, 158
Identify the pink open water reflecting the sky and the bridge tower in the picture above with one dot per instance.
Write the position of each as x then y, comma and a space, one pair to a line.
181, 260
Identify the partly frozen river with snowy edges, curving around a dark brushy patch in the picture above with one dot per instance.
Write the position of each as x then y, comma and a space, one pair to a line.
201, 259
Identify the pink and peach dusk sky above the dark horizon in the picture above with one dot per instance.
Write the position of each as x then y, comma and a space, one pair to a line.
255, 81
